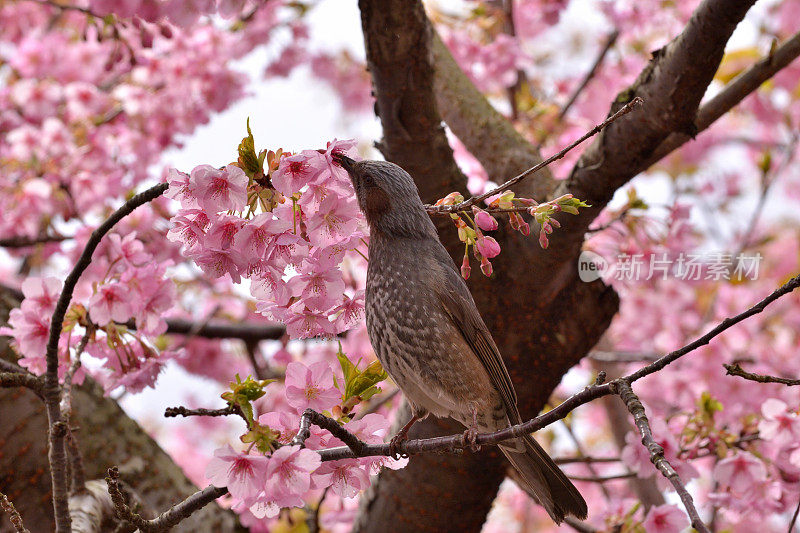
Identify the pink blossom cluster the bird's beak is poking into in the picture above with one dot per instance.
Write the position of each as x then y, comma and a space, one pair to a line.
289, 249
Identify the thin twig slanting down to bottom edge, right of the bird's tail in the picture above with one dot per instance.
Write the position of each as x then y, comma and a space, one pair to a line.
636, 409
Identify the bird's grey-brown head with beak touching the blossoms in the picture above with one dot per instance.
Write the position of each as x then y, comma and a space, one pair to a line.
388, 198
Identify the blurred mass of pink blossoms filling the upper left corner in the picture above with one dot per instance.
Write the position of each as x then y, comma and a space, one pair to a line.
91, 108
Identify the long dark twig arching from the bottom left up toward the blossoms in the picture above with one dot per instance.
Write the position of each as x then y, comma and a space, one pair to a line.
52, 390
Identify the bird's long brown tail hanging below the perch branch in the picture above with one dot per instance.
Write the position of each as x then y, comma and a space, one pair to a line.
543, 480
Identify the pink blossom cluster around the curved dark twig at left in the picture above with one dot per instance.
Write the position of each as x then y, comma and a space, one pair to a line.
124, 284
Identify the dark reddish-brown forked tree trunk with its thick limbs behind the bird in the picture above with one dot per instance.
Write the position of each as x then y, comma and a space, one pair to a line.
543, 318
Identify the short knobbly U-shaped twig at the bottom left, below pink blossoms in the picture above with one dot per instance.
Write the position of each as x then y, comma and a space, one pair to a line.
168, 518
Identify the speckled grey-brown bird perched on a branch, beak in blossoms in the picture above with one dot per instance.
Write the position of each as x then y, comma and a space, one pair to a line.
429, 336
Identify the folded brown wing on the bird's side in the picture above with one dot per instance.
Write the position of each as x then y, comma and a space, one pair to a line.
458, 304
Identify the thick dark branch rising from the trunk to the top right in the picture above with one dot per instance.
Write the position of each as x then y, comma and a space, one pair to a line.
672, 86
